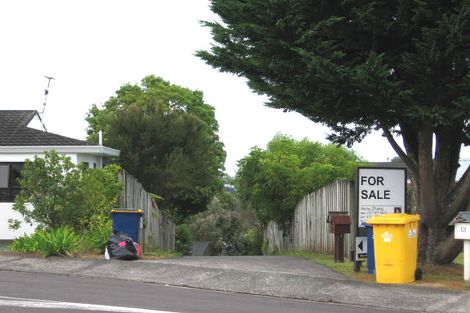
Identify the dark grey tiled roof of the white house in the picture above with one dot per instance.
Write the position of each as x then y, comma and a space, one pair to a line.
14, 131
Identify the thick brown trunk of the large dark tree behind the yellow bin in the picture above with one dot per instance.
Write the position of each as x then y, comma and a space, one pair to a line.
438, 196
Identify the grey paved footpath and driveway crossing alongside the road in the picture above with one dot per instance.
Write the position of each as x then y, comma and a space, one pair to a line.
277, 276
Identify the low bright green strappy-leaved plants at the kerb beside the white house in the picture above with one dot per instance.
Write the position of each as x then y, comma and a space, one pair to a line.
60, 241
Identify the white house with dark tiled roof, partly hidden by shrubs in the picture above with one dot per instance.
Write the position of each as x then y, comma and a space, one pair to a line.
19, 142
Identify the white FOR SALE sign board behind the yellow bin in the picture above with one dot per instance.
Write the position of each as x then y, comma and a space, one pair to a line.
380, 191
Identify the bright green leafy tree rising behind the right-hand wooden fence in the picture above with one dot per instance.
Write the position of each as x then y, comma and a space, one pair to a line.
274, 180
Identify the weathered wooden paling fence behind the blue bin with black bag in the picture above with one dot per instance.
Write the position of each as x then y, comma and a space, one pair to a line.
158, 230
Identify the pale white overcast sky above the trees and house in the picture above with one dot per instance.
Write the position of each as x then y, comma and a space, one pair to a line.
92, 48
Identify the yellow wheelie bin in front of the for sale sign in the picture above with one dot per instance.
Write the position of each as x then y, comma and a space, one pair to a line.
395, 247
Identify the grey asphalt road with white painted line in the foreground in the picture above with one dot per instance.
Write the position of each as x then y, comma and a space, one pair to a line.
25, 292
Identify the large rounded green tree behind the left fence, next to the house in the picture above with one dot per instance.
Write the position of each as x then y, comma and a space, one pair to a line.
168, 140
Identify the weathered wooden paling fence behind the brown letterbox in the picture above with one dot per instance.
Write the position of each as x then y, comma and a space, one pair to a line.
309, 230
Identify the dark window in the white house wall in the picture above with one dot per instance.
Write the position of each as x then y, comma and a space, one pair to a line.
9, 186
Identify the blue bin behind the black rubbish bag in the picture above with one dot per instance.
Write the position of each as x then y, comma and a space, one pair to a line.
127, 221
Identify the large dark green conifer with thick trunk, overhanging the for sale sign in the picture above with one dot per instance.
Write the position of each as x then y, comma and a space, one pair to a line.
402, 67
